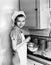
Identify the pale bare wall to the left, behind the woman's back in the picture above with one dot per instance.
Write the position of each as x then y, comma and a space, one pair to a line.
6, 9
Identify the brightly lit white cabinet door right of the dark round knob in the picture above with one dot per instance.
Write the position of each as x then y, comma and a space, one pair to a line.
44, 14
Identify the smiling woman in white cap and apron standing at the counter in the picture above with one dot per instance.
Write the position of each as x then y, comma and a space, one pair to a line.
19, 42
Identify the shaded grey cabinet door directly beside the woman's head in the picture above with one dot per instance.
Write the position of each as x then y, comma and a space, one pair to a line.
28, 6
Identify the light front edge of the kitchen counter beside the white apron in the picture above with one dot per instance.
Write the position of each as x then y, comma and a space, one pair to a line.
38, 59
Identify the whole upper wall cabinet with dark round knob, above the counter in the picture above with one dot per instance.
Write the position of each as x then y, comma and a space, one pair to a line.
36, 12
